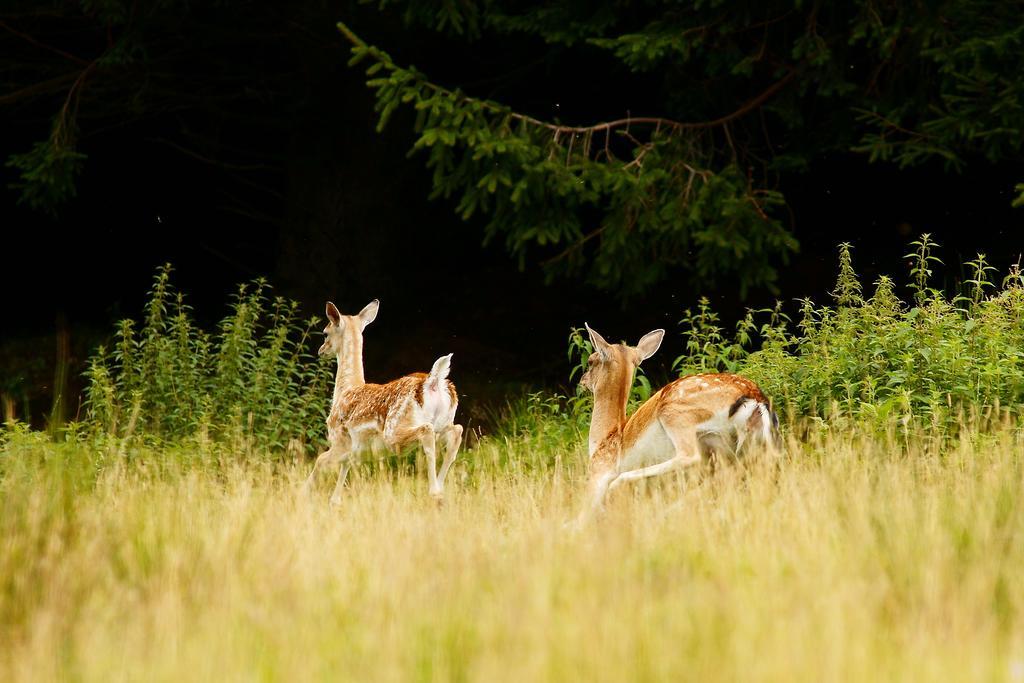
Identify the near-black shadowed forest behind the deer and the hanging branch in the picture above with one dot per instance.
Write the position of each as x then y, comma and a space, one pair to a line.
233, 141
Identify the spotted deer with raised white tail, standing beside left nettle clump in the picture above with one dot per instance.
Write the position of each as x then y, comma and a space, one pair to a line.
415, 410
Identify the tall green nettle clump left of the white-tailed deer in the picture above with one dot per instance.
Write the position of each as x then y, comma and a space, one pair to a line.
253, 381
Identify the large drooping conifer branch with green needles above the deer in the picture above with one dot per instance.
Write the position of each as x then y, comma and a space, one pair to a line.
661, 207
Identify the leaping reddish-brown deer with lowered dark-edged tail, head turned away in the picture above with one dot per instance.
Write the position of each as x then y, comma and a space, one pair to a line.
678, 428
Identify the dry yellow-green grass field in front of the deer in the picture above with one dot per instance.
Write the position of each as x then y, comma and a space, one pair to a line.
859, 559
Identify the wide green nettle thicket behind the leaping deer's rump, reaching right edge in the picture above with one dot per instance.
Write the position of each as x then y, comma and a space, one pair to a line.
940, 359
